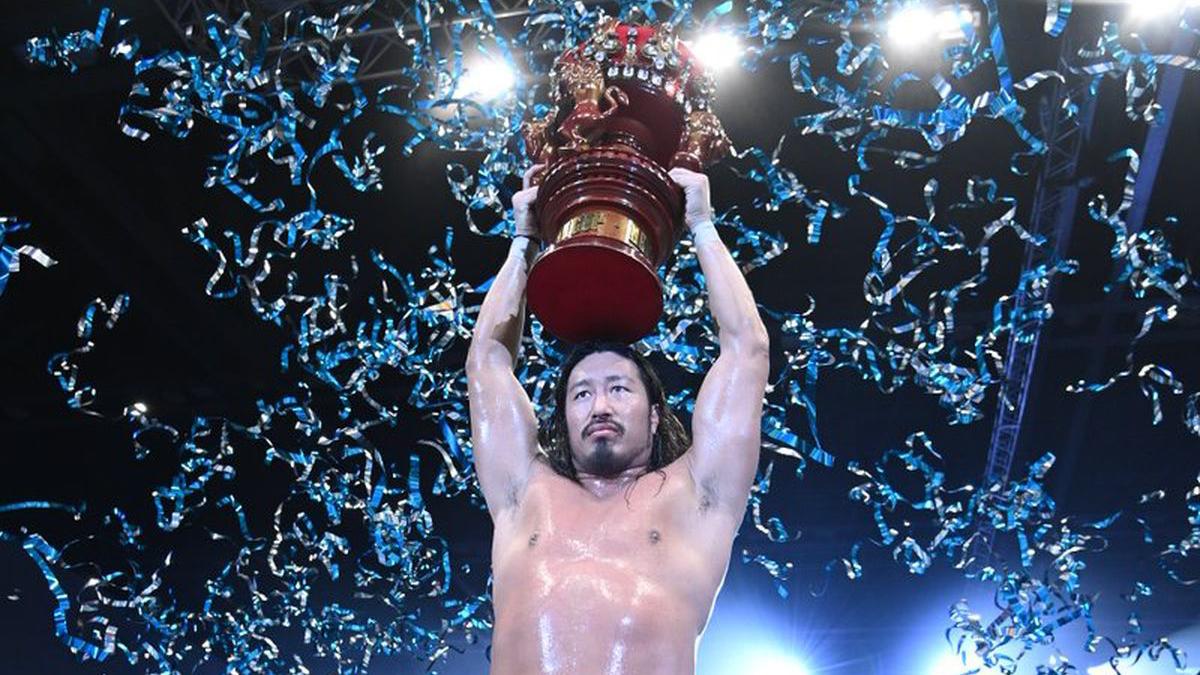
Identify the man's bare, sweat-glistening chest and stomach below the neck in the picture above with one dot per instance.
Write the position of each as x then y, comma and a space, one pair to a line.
587, 583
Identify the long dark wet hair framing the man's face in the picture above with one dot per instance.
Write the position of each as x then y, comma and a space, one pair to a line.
671, 439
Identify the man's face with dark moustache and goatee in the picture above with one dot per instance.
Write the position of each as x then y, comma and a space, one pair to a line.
609, 415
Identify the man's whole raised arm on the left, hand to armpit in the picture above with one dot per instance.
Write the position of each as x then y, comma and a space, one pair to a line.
503, 426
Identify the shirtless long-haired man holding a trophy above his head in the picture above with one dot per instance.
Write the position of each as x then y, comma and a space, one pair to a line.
613, 536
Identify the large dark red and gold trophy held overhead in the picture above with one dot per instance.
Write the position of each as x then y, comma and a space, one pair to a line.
629, 104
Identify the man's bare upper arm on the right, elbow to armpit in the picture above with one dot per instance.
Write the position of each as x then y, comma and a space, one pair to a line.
727, 429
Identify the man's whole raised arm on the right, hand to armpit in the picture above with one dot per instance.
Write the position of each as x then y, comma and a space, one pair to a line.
727, 425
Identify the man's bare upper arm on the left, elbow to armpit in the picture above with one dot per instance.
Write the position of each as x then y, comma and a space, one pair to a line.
503, 432
